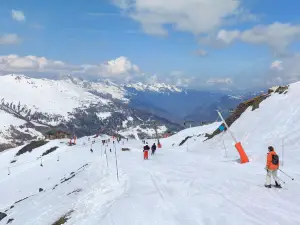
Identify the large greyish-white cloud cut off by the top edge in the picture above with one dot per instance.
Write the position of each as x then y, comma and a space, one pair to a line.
196, 16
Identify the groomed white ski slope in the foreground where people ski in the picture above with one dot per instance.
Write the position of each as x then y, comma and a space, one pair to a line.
192, 184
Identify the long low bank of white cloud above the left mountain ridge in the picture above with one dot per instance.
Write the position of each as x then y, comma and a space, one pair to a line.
119, 70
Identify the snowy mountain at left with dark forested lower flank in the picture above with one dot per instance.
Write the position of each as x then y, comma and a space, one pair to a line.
31, 106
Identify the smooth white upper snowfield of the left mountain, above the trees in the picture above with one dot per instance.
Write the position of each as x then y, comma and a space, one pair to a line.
44, 95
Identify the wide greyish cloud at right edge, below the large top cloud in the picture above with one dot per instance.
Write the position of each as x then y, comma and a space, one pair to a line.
277, 35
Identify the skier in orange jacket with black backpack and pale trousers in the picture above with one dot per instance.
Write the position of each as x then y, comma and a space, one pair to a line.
272, 167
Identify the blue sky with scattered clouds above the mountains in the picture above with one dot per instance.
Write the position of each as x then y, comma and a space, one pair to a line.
162, 39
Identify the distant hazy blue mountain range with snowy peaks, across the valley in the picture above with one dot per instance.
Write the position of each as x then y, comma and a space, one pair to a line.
168, 101
